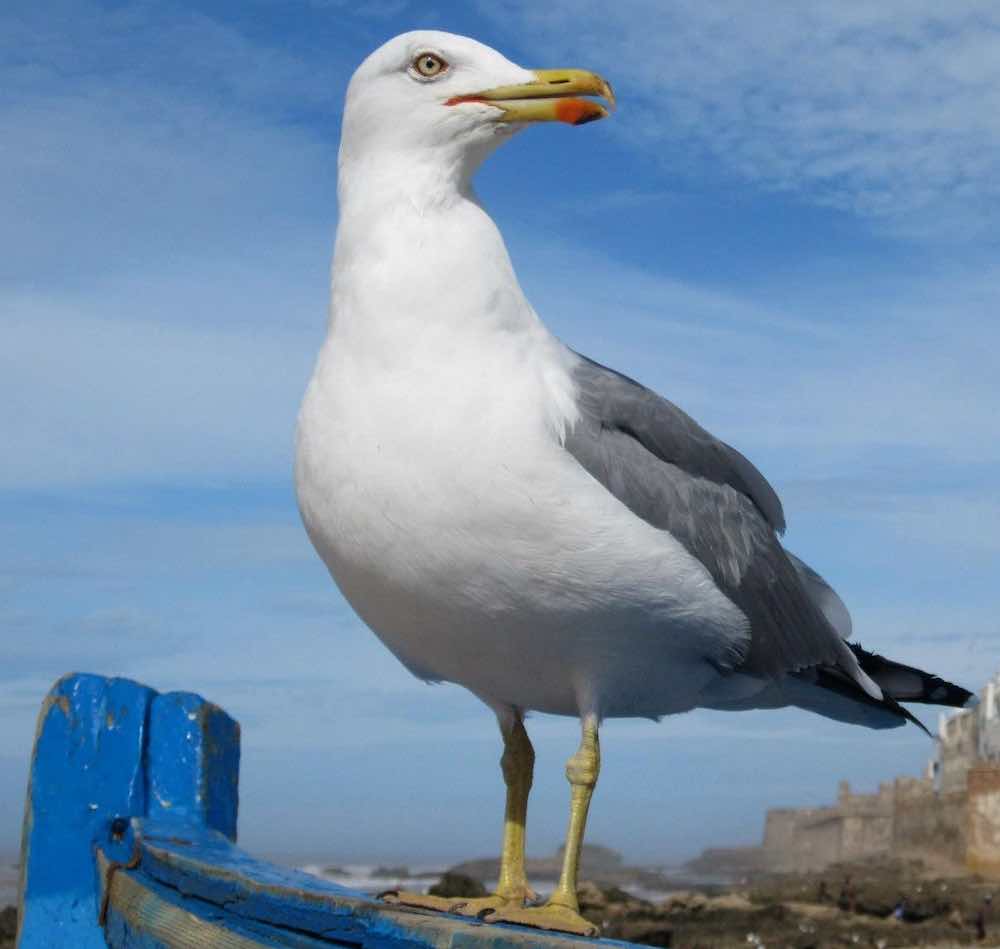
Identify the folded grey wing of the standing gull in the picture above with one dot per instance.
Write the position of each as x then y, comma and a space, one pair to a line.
676, 476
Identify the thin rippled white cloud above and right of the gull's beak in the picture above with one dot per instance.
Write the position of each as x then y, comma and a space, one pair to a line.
890, 110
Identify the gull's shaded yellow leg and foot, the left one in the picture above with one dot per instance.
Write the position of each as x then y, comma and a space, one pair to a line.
518, 765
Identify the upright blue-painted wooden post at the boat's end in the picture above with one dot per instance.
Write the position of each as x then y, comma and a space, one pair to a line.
103, 749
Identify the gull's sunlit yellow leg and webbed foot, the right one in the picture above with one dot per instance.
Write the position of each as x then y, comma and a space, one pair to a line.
562, 911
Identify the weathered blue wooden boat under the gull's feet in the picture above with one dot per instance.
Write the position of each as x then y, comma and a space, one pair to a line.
130, 841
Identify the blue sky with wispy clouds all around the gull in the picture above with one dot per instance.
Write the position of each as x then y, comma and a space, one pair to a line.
789, 227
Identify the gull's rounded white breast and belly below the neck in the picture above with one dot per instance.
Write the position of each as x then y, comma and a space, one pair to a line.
440, 497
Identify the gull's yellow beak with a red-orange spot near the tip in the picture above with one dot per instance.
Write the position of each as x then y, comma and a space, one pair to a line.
551, 97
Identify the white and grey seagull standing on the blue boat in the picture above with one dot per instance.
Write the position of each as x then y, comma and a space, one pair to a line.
507, 514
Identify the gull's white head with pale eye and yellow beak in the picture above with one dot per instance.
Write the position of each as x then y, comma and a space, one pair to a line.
429, 93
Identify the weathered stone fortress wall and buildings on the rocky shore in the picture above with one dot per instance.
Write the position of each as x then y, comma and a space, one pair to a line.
950, 816
